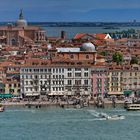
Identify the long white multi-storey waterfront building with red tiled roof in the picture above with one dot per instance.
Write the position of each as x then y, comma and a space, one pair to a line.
39, 78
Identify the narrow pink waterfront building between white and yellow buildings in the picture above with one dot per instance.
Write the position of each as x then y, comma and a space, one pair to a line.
99, 81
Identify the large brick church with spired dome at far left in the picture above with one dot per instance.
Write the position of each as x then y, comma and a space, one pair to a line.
21, 33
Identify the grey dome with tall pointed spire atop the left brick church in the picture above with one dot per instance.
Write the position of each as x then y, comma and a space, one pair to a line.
21, 22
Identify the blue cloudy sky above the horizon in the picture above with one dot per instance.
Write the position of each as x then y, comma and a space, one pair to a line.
71, 10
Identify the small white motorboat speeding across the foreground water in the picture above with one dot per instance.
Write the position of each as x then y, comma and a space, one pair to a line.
114, 117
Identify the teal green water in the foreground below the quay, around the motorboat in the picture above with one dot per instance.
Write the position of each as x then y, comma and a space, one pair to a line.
67, 124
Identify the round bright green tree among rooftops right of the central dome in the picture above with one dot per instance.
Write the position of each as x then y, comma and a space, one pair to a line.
117, 57
